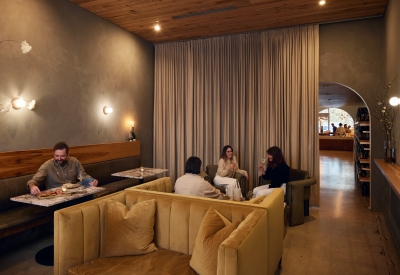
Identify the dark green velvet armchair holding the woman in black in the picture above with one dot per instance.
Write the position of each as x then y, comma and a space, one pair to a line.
298, 191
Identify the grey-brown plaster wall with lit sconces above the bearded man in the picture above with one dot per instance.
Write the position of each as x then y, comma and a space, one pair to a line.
79, 64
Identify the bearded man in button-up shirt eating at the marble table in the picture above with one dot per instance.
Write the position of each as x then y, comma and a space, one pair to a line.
59, 170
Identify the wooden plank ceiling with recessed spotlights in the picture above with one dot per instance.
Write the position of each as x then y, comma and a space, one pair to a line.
140, 16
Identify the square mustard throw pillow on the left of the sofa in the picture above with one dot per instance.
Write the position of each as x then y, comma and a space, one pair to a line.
128, 232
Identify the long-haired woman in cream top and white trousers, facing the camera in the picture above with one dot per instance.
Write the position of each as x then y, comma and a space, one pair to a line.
227, 167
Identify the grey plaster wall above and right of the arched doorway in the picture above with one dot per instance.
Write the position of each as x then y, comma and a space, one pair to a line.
352, 53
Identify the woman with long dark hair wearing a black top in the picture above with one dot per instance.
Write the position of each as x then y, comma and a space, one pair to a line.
277, 172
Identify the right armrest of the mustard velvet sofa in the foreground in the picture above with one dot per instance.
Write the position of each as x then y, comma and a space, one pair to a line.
236, 255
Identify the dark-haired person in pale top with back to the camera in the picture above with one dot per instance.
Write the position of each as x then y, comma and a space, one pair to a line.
193, 184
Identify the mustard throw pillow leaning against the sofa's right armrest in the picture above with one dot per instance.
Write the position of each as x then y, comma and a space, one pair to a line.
214, 229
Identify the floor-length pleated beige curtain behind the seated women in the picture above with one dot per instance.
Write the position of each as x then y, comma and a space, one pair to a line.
251, 91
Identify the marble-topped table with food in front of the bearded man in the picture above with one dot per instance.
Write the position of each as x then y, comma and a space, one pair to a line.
45, 256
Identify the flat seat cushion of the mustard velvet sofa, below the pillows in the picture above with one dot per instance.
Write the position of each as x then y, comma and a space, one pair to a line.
166, 262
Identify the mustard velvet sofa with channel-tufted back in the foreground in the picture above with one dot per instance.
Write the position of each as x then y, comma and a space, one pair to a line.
255, 249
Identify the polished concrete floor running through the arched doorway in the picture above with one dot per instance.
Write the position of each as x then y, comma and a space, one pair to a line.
337, 238
